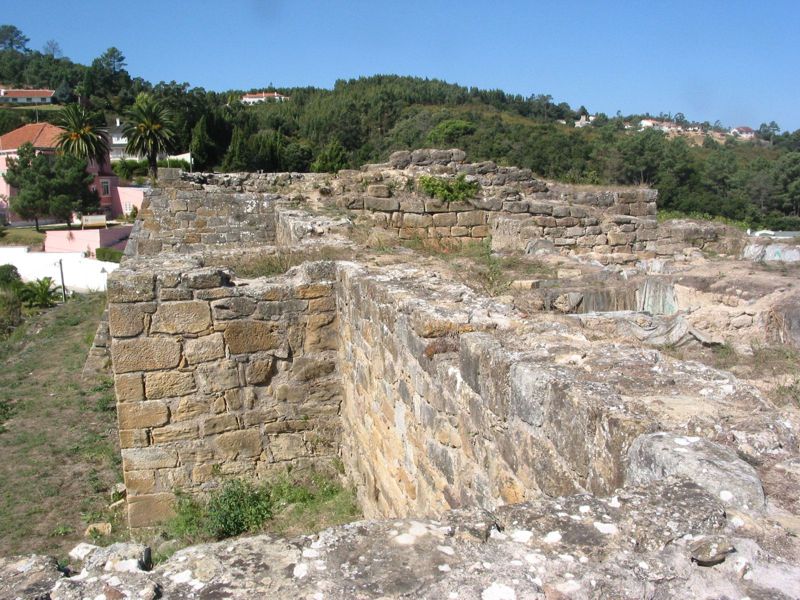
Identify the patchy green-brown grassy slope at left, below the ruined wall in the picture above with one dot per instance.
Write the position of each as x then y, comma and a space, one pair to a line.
59, 436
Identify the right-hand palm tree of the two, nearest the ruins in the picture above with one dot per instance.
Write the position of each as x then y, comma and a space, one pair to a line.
149, 129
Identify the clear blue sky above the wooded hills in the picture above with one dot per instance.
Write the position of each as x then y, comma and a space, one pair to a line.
733, 60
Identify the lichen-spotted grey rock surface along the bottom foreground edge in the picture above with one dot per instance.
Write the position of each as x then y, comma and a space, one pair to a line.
669, 538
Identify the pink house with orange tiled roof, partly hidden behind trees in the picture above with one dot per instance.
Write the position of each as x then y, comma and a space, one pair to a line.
43, 137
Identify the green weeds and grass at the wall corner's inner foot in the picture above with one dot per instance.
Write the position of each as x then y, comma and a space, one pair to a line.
287, 505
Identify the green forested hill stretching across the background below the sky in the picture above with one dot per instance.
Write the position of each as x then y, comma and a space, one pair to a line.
364, 120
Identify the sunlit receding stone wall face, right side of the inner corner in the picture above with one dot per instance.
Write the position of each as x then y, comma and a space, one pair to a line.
441, 412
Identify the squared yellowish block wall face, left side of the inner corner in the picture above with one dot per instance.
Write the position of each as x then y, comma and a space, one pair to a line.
219, 379
